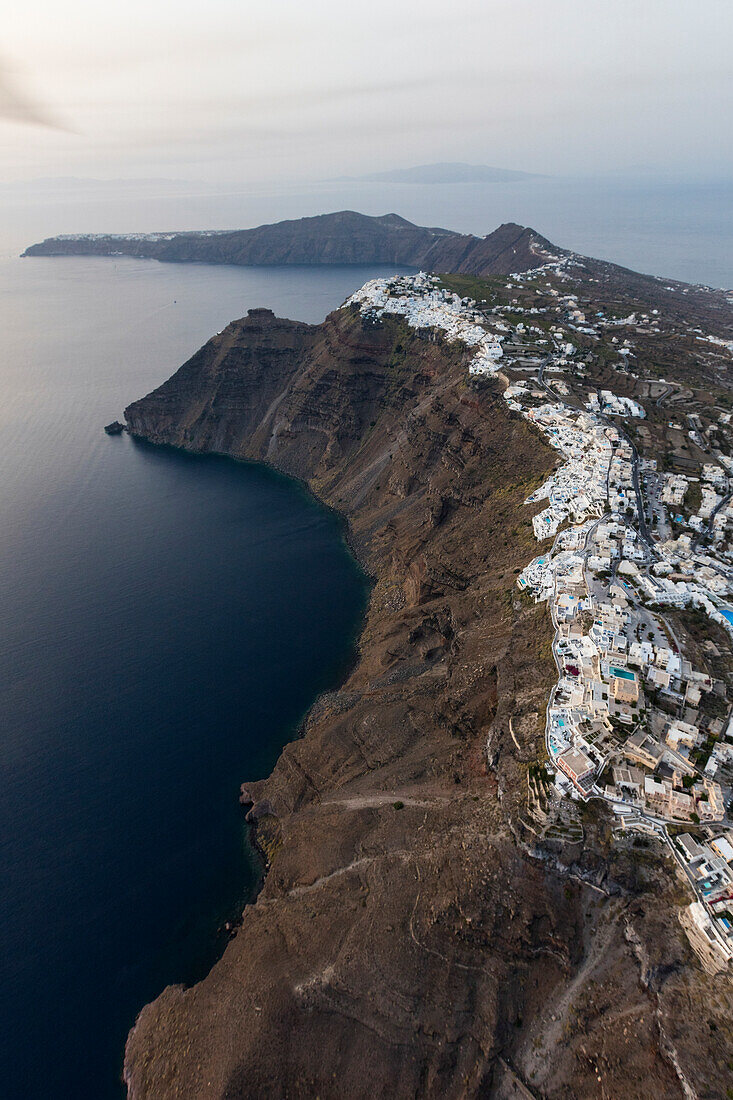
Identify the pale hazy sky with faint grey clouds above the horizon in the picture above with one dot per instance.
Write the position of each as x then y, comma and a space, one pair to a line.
299, 90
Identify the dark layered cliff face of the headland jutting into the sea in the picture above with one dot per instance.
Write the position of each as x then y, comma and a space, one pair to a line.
299, 397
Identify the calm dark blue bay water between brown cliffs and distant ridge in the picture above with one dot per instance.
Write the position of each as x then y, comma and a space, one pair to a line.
165, 623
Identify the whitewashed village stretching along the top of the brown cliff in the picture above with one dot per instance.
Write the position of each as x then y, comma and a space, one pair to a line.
631, 721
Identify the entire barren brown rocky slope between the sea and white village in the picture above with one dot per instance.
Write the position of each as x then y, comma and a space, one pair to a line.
407, 943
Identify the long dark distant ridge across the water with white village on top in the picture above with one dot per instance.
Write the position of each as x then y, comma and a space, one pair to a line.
343, 238
